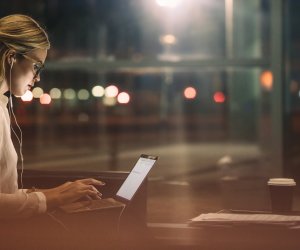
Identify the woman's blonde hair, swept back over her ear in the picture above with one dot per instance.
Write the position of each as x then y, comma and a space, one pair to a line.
22, 34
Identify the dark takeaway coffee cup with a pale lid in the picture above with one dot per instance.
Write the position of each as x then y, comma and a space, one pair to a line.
281, 194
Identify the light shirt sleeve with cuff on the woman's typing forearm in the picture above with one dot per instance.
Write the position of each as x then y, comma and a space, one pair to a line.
21, 204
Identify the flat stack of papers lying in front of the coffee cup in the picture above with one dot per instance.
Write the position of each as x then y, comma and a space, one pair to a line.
245, 219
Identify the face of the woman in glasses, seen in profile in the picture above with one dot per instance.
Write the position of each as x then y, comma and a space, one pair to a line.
25, 71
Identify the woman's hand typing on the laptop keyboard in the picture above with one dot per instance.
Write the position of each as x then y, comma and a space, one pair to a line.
72, 191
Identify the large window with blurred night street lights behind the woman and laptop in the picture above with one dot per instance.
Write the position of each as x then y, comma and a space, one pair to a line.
190, 83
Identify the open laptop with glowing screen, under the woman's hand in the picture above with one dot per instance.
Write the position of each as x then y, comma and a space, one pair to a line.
125, 193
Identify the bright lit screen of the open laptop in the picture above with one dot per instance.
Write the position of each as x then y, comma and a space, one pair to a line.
136, 176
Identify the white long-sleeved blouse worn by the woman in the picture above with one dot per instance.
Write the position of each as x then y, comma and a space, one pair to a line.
14, 202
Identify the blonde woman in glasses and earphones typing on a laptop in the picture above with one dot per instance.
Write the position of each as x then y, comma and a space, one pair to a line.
23, 51
